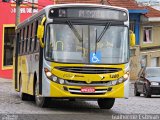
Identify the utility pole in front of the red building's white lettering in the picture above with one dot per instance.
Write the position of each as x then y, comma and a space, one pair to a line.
18, 12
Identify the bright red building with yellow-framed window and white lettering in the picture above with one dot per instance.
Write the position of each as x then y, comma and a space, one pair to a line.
7, 28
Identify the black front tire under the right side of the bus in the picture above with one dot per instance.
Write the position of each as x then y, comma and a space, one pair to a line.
106, 103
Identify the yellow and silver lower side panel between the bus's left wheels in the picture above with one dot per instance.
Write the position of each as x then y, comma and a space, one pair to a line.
30, 65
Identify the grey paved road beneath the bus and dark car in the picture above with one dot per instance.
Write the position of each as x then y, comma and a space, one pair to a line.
12, 107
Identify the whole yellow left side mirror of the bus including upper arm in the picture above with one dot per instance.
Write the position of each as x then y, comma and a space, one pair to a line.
40, 32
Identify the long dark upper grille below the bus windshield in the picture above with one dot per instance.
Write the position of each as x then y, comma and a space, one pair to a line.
89, 70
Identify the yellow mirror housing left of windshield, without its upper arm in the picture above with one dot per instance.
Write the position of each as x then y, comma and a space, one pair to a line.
40, 33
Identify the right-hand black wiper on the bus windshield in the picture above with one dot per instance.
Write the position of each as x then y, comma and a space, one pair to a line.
101, 35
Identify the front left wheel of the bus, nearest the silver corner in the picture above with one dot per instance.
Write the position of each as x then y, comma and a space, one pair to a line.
40, 101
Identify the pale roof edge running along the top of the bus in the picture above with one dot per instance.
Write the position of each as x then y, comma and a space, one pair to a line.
46, 9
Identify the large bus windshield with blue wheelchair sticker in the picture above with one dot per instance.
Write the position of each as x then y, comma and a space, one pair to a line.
71, 43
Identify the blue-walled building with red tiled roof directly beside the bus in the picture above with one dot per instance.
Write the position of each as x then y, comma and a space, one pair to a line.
135, 13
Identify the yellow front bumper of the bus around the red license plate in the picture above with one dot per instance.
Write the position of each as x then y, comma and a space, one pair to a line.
64, 91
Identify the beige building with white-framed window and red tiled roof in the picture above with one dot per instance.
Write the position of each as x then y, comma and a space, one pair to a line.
150, 37
